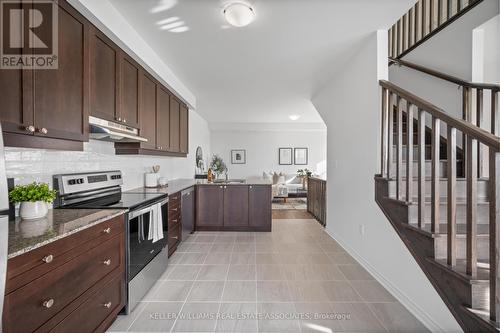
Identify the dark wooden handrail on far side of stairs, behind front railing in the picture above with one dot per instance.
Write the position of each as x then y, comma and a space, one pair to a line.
473, 95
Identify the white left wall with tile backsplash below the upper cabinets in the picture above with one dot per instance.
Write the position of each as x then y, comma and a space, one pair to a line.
27, 165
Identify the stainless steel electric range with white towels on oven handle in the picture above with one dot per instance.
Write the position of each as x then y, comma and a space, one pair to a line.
146, 258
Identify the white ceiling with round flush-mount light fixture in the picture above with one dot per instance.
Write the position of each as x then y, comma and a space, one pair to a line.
268, 70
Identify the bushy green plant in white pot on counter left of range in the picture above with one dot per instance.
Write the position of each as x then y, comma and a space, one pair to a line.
33, 198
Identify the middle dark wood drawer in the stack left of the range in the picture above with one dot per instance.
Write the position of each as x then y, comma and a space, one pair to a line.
32, 305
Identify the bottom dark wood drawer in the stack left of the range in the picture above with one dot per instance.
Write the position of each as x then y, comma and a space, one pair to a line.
92, 314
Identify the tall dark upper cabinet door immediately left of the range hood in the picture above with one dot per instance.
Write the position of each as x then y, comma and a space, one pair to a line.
60, 96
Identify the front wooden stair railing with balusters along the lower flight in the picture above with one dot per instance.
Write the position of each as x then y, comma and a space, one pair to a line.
398, 104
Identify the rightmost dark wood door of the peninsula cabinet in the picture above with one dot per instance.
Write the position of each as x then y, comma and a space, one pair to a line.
259, 203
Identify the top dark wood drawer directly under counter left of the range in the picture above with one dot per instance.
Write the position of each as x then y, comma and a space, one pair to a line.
30, 266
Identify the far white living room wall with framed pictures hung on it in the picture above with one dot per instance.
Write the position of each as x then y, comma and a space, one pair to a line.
262, 149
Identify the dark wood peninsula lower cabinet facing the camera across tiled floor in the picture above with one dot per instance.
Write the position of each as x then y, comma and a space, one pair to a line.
233, 207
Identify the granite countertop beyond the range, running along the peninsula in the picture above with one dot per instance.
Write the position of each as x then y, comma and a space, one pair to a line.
182, 184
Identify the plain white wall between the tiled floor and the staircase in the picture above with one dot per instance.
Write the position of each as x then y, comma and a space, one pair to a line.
350, 107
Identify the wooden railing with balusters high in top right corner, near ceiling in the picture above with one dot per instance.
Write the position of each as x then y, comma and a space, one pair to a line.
424, 20
